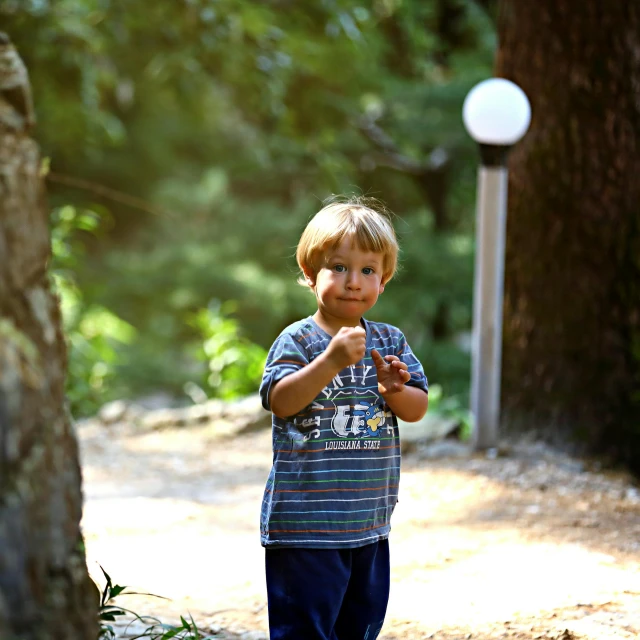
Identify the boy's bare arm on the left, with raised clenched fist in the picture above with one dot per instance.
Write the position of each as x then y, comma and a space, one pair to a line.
294, 392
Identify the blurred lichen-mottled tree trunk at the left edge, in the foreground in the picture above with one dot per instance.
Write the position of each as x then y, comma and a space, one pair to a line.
45, 591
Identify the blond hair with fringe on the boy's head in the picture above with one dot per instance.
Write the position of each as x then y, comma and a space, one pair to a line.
370, 227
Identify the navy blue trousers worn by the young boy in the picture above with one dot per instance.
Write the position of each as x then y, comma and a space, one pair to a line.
327, 594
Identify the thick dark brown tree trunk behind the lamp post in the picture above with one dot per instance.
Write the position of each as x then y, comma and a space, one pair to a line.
572, 284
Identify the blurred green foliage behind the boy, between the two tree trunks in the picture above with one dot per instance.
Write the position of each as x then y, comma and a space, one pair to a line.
188, 143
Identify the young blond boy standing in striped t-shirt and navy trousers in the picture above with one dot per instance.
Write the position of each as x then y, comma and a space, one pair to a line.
335, 383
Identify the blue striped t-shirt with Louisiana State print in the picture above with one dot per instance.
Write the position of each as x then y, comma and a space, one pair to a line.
336, 464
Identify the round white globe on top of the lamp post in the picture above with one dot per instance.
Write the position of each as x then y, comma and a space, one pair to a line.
497, 112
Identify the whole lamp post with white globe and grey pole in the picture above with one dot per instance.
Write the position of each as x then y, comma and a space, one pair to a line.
496, 113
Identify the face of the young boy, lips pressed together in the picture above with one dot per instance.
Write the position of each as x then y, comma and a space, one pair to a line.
347, 284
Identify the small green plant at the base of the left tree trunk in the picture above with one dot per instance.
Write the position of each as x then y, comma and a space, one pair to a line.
109, 612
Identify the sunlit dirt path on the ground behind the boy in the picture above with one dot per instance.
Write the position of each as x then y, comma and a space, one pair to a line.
530, 546
